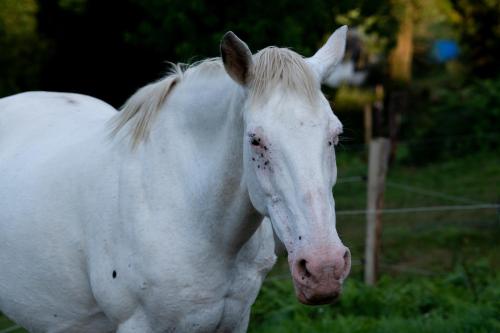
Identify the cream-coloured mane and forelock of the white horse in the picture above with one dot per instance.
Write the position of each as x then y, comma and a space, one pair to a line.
272, 67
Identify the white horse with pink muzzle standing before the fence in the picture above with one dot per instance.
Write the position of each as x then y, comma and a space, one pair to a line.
154, 224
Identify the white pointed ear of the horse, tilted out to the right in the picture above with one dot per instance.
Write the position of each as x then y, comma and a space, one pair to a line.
330, 55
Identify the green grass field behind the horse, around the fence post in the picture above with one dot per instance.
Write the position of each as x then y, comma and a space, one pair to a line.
440, 270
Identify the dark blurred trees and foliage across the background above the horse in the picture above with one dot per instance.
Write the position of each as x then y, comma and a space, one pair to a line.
108, 49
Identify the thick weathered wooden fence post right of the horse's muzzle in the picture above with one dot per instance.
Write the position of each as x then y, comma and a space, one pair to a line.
377, 170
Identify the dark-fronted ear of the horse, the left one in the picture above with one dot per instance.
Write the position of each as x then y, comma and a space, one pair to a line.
237, 58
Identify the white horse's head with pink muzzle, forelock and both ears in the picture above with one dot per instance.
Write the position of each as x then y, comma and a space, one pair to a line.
289, 156
